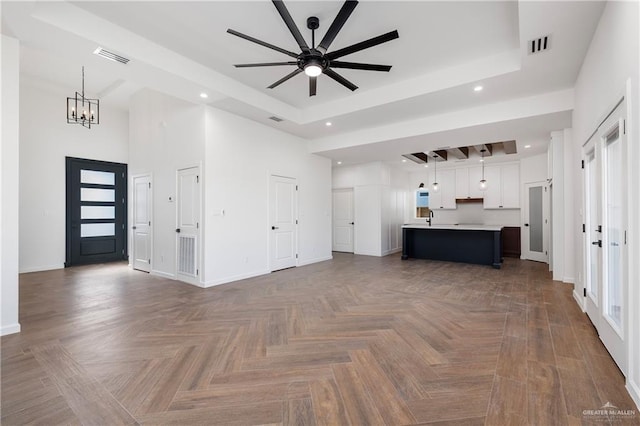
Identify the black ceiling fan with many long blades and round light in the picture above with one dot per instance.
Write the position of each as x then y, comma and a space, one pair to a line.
315, 60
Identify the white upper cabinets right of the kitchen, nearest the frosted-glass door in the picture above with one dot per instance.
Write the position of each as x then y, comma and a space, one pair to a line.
503, 187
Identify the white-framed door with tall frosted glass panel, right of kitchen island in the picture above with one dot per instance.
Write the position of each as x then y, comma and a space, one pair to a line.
535, 222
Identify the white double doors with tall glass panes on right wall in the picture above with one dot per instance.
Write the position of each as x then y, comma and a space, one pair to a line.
605, 236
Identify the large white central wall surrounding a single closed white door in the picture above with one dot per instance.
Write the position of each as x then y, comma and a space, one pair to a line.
240, 157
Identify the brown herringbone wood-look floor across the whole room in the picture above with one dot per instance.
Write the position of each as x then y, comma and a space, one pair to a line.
357, 340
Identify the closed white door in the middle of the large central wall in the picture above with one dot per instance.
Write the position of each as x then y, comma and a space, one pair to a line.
283, 217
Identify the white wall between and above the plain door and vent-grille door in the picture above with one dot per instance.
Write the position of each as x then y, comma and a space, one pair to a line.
166, 134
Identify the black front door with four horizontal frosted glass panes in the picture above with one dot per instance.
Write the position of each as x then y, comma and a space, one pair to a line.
96, 211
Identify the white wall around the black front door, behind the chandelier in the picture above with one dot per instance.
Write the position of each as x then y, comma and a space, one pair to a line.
45, 140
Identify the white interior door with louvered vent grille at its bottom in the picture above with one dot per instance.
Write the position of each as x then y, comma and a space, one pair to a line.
188, 224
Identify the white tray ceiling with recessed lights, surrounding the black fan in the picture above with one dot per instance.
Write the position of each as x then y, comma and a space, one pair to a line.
426, 101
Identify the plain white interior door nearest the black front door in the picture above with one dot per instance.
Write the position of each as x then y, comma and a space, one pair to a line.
142, 208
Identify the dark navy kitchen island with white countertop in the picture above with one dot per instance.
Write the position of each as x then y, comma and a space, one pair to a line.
479, 244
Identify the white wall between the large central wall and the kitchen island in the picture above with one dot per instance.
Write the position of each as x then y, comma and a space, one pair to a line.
379, 205
